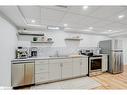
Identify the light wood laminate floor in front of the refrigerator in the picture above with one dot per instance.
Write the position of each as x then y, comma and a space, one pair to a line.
110, 81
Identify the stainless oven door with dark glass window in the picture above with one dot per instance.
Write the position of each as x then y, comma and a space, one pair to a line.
95, 64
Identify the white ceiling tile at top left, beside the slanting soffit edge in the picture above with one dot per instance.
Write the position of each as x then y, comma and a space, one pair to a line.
31, 12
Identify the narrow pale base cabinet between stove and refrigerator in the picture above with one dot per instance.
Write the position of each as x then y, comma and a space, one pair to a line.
104, 63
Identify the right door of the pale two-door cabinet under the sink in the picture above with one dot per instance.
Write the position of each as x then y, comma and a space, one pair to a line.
66, 68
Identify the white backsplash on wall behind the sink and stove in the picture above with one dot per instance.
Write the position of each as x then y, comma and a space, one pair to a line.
52, 51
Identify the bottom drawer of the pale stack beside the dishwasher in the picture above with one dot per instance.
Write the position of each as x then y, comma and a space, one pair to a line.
41, 77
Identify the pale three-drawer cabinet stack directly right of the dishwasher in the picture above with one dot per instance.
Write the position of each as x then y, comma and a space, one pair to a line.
41, 71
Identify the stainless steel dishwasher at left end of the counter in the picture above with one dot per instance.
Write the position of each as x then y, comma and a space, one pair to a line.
22, 73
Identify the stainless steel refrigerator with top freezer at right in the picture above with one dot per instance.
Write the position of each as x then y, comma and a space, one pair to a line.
115, 54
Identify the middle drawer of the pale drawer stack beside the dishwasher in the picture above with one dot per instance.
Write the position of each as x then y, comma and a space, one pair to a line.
41, 68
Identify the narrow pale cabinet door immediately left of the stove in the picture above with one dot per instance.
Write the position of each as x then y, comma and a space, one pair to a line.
84, 66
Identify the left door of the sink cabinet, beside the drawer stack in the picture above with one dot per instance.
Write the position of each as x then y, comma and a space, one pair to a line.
54, 70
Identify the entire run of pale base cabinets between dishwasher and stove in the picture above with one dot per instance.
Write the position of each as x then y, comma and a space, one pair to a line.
58, 69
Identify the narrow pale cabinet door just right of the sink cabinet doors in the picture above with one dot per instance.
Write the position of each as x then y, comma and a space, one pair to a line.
76, 67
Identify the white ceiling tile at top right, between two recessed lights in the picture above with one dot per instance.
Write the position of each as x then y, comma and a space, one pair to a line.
106, 11
